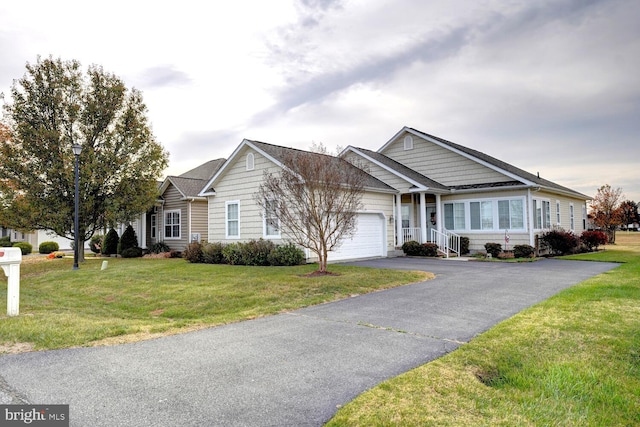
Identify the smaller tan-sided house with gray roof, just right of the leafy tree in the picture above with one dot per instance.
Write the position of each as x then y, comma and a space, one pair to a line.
179, 216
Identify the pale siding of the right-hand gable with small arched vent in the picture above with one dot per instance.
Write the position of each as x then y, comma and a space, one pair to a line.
441, 164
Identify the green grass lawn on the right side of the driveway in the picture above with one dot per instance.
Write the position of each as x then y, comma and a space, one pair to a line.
573, 360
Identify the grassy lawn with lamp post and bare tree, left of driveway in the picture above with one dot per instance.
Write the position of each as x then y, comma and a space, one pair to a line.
140, 298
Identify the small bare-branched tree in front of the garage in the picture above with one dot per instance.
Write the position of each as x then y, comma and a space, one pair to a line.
313, 199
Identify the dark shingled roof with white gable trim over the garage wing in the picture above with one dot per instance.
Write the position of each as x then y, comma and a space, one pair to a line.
277, 154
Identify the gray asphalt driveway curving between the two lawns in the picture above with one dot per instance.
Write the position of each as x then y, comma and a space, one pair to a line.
293, 369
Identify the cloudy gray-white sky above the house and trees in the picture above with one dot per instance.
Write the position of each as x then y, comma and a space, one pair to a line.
548, 86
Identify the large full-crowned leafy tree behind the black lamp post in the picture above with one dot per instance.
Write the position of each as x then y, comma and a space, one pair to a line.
54, 106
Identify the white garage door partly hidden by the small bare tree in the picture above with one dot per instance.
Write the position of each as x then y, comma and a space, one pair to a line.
367, 242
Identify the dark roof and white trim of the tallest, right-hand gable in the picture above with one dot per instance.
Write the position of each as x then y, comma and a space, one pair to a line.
518, 175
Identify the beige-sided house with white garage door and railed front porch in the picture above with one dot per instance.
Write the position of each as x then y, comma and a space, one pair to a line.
422, 188
